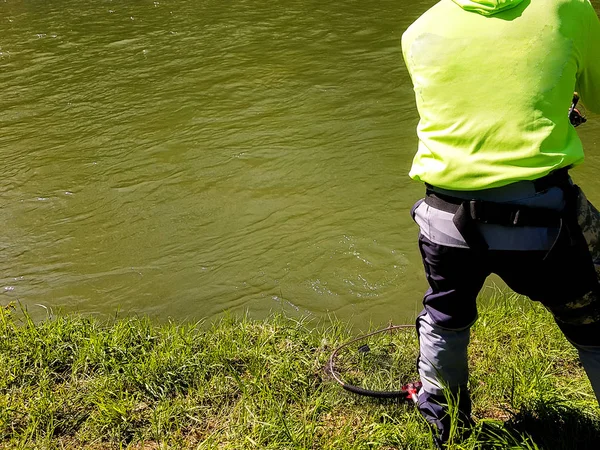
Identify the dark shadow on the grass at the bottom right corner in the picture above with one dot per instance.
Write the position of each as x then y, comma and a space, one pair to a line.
546, 425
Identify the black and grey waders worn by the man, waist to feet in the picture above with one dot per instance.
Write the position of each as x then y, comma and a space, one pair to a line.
541, 237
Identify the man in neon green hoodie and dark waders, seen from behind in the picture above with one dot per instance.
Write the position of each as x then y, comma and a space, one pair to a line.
493, 81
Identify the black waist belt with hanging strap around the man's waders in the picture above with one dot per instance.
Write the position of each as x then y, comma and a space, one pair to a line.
468, 213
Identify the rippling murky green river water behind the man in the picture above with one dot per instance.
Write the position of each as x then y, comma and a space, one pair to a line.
185, 158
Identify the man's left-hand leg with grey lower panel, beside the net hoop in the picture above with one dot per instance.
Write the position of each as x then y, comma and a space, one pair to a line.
455, 277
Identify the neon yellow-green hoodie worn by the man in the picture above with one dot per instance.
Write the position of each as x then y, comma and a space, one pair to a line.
493, 81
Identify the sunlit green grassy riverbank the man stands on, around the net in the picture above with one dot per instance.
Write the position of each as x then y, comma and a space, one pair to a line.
74, 382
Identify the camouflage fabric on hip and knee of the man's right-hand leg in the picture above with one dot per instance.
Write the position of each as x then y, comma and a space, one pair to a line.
584, 310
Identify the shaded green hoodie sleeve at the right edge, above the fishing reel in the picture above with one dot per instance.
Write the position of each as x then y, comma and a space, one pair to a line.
588, 78
